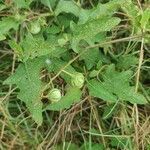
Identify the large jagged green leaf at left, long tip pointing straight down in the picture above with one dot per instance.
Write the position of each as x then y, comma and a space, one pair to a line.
27, 79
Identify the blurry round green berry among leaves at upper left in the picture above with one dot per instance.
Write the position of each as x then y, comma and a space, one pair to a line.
35, 27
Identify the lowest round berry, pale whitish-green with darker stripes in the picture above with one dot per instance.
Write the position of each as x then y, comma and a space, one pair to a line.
54, 95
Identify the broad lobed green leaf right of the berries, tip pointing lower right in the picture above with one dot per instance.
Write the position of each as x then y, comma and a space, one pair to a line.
116, 87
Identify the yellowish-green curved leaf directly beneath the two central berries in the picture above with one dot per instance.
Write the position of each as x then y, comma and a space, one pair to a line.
72, 96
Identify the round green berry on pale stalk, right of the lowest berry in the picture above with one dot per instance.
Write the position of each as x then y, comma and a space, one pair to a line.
77, 80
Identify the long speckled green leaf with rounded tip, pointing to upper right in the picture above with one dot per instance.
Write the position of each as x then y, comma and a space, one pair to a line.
93, 27
